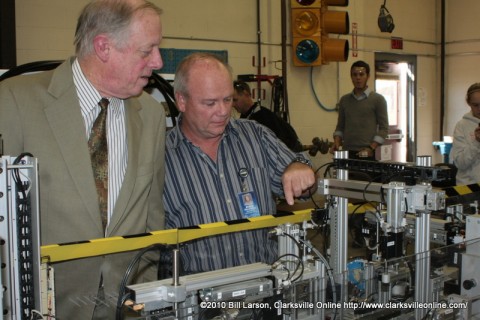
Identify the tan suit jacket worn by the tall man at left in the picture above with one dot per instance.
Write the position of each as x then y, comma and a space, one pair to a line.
40, 114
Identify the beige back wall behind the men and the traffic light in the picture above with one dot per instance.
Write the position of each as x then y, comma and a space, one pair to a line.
45, 31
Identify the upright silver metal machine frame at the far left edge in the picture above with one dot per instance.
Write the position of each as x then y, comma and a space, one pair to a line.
20, 239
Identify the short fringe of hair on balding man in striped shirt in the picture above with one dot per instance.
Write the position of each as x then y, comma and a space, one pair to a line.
182, 74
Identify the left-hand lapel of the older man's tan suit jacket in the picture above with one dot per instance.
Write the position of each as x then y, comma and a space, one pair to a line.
66, 121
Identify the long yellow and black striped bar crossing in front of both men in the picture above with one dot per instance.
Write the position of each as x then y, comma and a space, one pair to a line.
84, 249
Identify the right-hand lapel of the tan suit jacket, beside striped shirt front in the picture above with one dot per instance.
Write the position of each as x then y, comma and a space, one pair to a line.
134, 126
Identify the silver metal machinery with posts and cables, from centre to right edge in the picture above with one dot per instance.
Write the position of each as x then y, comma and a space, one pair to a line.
324, 289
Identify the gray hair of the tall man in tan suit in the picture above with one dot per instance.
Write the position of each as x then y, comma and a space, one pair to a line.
110, 17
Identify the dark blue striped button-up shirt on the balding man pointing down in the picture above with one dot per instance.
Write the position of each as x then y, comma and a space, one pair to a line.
199, 190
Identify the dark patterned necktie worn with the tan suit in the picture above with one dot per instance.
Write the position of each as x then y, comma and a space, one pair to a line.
97, 144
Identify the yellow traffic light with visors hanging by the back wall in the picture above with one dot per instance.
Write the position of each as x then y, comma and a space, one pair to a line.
311, 23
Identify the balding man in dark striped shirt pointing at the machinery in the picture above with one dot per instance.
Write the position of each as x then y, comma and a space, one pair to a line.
220, 169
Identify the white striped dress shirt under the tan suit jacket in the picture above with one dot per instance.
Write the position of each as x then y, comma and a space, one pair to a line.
116, 131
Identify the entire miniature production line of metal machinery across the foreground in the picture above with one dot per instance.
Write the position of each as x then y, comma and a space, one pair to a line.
430, 283
